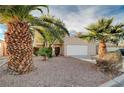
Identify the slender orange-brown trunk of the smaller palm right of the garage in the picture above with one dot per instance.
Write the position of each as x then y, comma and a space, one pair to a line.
102, 49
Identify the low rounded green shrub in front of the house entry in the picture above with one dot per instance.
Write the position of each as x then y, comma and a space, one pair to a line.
45, 52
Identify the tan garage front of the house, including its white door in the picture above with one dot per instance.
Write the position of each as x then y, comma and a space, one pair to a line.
77, 47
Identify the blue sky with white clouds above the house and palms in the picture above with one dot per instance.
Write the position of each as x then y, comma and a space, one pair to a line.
76, 17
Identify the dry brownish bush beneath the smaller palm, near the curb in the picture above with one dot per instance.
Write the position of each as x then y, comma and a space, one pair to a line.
111, 62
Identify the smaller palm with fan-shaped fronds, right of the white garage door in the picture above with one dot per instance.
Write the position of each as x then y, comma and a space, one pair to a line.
103, 31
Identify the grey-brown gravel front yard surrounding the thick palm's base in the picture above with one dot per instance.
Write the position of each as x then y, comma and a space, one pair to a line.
56, 72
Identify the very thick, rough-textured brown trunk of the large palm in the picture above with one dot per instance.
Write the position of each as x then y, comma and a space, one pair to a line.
19, 47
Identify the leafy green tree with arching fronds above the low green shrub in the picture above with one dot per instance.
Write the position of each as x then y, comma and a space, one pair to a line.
51, 29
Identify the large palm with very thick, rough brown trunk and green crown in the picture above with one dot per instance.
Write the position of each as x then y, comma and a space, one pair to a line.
18, 37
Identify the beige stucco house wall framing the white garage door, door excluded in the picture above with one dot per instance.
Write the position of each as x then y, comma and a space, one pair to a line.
73, 41
